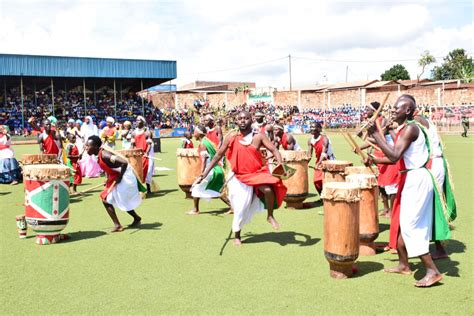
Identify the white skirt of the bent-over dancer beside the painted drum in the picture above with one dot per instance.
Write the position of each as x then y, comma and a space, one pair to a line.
125, 195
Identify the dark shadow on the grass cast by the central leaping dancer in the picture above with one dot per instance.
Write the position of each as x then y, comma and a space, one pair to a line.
282, 238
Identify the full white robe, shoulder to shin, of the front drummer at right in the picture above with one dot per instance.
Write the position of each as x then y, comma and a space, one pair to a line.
416, 205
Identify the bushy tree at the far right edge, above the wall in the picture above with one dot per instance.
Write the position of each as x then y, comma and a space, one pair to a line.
456, 65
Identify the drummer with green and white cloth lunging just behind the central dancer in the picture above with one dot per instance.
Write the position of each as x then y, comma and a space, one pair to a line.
212, 185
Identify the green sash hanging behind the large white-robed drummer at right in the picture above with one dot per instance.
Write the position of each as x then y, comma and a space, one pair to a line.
441, 216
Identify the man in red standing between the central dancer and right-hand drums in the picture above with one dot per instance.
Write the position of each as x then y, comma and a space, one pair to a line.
323, 151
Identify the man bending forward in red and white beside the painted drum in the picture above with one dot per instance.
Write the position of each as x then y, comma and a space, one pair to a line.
121, 187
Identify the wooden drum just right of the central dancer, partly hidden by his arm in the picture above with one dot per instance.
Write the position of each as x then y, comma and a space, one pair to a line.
297, 185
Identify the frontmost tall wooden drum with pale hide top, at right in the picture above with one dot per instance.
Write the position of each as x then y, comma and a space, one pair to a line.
341, 227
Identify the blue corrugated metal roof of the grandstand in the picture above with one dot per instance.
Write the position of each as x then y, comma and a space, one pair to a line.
85, 67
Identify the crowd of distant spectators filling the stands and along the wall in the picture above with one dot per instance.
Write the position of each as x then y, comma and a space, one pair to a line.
99, 105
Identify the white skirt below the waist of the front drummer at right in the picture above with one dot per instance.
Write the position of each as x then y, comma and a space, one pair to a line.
416, 212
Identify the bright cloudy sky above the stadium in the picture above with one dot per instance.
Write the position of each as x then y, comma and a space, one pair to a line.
244, 40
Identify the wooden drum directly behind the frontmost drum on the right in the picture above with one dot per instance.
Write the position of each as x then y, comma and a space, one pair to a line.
368, 217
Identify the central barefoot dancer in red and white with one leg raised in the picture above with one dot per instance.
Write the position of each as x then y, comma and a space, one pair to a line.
249, 183
